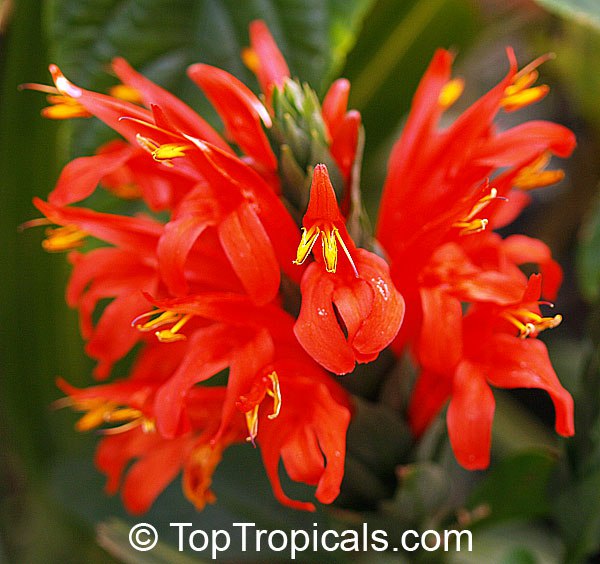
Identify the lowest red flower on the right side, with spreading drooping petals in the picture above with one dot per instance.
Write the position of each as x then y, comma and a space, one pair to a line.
461, 357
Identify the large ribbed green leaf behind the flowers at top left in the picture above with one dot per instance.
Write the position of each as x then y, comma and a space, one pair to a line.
161, 38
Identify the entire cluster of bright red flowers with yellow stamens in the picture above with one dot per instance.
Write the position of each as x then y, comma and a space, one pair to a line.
222, 286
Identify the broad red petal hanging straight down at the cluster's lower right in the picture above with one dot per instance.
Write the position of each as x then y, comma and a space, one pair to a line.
470, 416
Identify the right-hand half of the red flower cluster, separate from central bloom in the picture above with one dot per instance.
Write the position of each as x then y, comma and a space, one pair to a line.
472, 316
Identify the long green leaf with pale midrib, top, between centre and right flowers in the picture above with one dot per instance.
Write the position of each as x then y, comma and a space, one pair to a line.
390, 56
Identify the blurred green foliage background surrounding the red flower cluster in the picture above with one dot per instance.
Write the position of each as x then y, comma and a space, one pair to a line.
547, 502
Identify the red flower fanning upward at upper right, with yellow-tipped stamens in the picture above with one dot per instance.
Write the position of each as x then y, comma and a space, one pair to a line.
439, 173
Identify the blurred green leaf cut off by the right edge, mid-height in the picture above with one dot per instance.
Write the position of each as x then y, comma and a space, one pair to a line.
588, 255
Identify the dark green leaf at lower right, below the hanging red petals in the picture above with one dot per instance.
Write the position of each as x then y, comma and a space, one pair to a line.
516, 487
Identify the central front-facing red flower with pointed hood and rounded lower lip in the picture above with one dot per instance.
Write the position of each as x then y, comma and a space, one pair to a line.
358, 286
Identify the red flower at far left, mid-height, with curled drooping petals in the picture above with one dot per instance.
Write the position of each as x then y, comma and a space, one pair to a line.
121, 272
